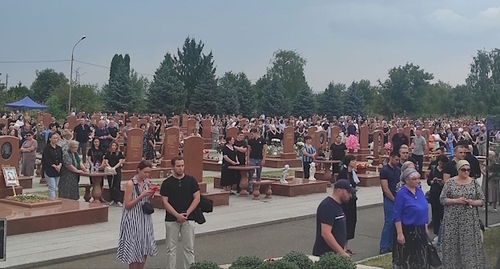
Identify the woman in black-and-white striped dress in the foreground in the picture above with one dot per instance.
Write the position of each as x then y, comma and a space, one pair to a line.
137, 239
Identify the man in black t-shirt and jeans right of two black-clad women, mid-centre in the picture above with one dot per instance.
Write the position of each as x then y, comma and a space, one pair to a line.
257, 156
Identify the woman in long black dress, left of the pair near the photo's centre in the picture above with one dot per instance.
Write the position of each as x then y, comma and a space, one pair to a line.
228, 176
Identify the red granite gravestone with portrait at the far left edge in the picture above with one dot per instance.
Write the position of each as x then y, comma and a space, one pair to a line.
9, 147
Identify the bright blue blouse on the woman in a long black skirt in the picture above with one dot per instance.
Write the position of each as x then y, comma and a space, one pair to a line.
411, 209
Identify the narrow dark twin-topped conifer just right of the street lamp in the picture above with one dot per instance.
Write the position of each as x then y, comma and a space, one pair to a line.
119, 94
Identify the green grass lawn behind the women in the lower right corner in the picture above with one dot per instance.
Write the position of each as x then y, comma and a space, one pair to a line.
491, 247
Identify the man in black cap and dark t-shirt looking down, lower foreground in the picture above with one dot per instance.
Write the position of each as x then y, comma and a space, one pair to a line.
330, 220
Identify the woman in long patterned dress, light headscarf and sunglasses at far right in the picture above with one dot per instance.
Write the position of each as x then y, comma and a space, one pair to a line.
461, 245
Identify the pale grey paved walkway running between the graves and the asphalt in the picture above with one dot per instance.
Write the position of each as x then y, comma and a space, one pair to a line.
43, 248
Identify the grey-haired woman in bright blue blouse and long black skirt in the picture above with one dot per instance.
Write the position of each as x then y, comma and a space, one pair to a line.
411, 217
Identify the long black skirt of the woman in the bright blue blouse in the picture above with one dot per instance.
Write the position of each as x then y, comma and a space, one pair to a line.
413, 254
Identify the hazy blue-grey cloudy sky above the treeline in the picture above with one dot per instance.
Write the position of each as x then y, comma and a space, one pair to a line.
342, 41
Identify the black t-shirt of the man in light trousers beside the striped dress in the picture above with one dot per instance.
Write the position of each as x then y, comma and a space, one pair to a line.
180, 194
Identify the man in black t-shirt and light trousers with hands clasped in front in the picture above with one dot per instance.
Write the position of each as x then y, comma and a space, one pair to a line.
180, 194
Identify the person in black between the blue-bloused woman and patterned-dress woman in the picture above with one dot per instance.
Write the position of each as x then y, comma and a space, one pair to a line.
435, 180
